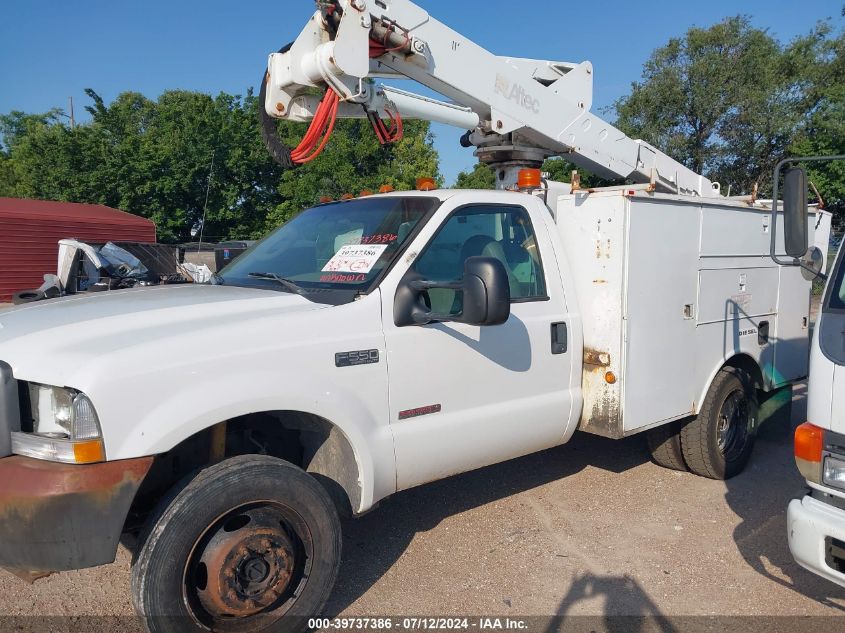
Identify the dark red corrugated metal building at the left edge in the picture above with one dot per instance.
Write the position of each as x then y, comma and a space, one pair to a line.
31, 229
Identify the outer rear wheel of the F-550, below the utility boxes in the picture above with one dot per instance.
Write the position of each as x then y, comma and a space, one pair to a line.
717, 443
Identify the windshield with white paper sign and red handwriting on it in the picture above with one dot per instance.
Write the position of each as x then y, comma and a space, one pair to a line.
342, 245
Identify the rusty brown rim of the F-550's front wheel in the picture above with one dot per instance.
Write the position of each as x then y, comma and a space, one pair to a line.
252, 562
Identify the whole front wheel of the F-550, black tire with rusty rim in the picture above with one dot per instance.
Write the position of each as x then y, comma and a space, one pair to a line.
252, 543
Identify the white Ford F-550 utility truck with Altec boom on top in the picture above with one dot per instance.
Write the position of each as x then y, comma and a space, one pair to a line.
375, 344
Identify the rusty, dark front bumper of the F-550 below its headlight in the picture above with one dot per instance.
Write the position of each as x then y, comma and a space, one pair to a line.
56, 517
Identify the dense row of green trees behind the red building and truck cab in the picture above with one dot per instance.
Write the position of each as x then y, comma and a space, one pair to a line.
159, 158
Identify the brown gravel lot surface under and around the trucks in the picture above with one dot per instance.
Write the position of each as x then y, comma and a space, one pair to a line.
588, 528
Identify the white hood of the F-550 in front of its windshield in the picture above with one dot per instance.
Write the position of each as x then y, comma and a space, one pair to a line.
48, 341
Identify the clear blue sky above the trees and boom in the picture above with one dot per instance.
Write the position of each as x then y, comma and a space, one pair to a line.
51, 50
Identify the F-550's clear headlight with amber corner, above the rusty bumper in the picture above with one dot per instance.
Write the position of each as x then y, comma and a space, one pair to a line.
65, 427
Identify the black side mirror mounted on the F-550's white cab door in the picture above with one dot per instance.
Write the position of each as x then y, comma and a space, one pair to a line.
485, 289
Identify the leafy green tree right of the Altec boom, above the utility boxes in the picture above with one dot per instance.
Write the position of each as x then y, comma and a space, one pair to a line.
727, 100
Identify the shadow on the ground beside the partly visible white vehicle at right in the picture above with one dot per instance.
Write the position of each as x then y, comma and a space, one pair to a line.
760, 495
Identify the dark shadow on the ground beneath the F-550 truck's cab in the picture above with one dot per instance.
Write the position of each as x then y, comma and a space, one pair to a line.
374, 542
